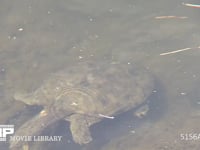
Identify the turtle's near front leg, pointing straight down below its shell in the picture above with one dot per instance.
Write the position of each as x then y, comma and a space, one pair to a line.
79, 127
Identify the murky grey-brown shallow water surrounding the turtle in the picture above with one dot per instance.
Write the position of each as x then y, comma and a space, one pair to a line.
38, 38
